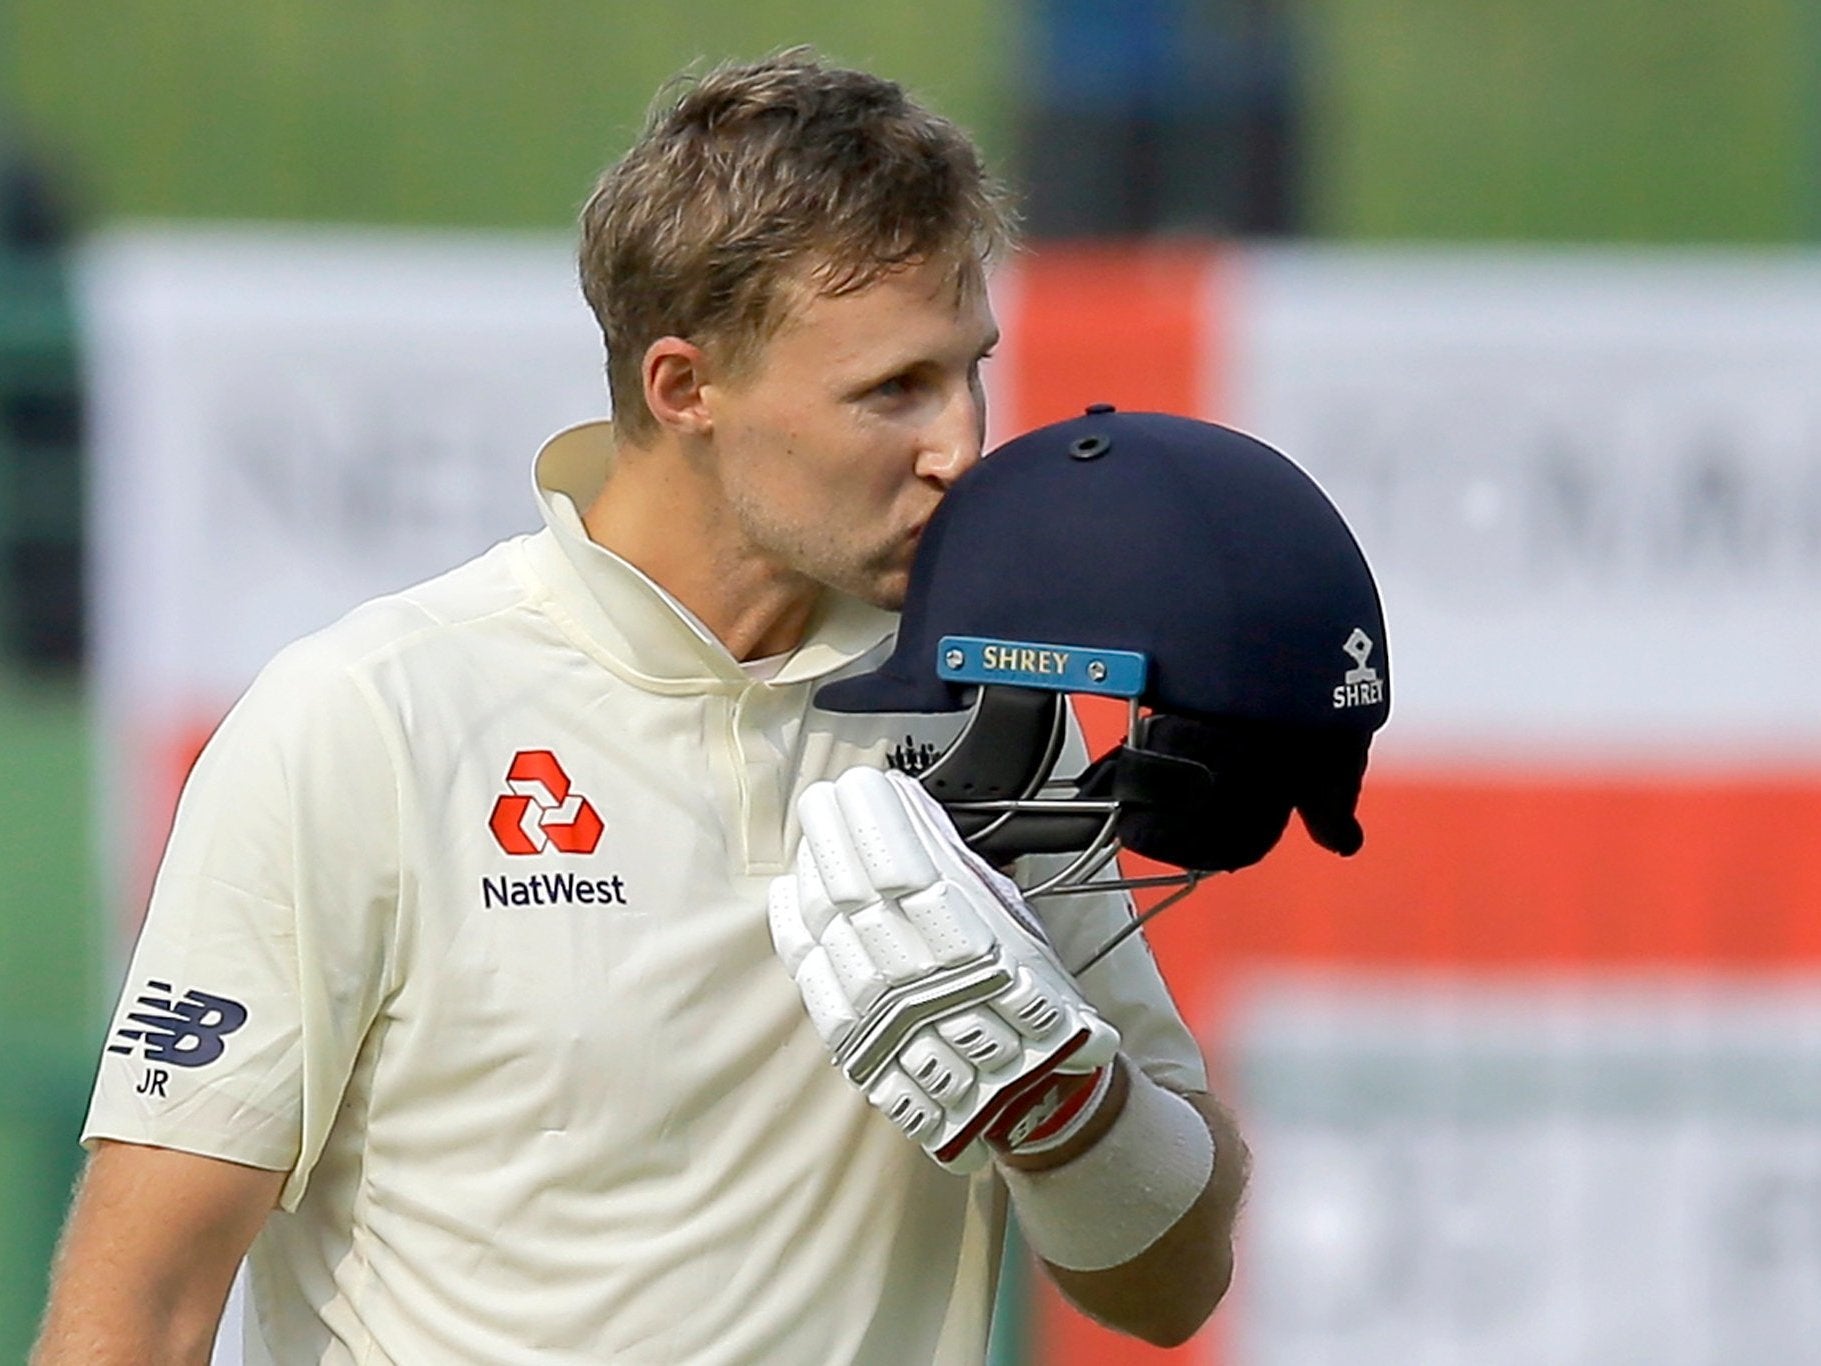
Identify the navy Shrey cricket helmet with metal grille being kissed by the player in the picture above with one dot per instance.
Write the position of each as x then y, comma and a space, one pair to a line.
1185, 567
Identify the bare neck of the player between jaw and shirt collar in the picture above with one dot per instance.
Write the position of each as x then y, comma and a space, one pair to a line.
660, 515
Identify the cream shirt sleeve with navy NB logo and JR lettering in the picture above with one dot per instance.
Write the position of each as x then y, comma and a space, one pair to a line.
269, 941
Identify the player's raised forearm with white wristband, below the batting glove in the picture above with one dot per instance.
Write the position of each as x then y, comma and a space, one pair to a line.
1166, 1289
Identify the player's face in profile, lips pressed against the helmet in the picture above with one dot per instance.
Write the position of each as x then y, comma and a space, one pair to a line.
840, 438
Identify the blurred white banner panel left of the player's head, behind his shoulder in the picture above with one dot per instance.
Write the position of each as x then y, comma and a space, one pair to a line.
287, 423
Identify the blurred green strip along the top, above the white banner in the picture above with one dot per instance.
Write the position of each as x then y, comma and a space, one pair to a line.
1458, 119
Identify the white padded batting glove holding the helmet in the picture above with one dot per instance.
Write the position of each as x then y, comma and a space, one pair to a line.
924, 972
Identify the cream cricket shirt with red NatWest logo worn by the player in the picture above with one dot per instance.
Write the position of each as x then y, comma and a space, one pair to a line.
463, 928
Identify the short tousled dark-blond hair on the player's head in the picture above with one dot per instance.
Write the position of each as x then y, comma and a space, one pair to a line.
755, 178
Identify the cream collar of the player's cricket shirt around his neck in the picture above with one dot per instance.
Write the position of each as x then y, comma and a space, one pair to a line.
633, 620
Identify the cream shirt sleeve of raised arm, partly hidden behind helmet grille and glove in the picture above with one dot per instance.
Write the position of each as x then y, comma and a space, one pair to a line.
1126, 986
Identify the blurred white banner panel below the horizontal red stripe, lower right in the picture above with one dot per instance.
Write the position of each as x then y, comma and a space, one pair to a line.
1505, 1174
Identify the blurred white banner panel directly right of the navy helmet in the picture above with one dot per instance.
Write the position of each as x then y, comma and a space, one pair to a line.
1589, 482
